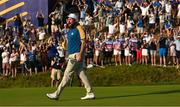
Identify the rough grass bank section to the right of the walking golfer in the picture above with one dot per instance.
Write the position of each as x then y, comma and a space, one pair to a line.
134, 75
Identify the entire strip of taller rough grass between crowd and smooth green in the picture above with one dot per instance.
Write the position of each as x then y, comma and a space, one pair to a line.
109, 76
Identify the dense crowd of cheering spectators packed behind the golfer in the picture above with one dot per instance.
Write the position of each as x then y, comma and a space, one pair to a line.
118, 32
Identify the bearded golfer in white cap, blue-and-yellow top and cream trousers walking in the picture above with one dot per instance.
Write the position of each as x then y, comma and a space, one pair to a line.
76, 48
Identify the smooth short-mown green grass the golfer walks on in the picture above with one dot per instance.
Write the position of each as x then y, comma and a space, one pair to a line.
158, 95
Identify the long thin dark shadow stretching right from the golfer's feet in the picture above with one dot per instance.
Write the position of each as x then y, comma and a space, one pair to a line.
140, 94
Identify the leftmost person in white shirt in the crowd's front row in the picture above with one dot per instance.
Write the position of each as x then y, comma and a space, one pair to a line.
5, 62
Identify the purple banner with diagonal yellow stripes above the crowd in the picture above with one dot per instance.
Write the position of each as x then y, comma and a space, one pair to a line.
27, 8
